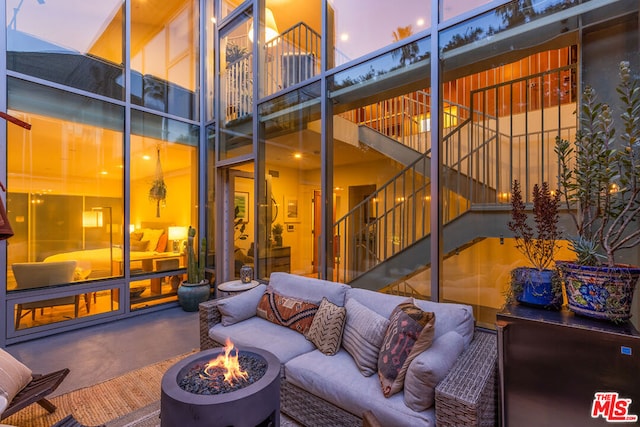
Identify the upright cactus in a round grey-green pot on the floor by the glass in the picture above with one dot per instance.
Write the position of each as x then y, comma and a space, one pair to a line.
196, 288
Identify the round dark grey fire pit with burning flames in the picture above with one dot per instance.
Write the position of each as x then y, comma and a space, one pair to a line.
250, 399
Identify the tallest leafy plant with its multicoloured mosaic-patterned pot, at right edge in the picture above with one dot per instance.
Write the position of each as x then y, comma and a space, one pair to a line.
599, 181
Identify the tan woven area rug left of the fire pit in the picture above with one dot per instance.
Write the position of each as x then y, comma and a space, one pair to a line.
128, 400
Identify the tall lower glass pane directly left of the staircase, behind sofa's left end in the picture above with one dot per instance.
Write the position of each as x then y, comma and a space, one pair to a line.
289, 191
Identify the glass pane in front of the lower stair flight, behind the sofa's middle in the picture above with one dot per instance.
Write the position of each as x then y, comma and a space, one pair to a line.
381, 170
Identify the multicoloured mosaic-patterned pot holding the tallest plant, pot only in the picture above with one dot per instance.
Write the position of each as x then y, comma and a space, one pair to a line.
600, 292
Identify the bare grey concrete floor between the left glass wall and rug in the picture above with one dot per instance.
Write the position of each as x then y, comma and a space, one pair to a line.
98, 353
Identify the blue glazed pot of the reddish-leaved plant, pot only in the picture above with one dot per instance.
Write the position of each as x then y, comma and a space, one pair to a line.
534, 287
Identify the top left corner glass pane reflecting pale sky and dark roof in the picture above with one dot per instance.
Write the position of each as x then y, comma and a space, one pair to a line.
87, 55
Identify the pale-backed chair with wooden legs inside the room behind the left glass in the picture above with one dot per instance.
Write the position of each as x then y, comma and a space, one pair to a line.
31, 275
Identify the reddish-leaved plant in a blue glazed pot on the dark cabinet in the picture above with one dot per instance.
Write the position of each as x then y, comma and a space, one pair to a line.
537, 285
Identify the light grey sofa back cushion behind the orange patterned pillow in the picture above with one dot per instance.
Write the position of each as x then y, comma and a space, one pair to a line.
308, 288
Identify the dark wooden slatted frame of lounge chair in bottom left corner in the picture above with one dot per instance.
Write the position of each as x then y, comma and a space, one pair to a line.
36, 392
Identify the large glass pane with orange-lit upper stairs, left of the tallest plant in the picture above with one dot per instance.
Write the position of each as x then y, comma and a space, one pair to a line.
511, 104
